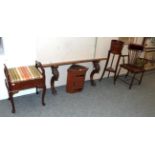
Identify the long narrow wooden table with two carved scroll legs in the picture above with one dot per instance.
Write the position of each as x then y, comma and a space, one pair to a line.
55, 72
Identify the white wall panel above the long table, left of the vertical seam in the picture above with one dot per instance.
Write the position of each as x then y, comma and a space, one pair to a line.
51, 49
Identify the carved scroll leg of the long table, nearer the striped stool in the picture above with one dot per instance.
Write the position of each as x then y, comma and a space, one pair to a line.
54, 78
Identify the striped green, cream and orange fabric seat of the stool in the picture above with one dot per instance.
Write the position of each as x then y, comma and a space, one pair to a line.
24, 73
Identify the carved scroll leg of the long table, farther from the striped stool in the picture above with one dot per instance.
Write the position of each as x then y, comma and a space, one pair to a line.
96, 70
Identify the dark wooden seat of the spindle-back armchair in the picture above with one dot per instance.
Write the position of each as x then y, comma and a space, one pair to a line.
132, 68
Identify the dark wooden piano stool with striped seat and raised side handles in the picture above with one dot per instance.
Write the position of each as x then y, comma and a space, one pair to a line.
26, 77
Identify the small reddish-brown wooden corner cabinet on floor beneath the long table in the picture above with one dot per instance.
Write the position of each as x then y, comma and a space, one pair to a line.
75, 78
